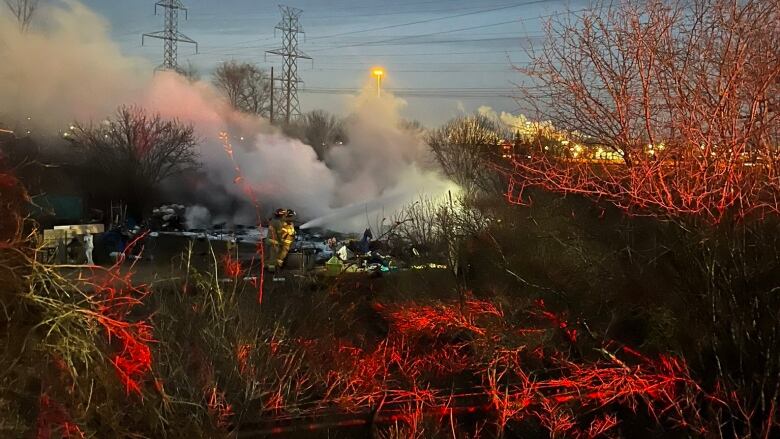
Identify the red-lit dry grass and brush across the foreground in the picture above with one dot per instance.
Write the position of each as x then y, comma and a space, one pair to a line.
196, 357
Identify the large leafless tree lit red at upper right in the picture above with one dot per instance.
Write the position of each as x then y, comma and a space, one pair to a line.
680, 90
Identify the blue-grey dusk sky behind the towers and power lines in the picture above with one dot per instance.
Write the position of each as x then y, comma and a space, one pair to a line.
425, 45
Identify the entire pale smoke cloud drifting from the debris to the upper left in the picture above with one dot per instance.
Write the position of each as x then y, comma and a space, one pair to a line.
67, 68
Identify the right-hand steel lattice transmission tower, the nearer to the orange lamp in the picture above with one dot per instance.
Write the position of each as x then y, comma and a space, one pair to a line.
288, 95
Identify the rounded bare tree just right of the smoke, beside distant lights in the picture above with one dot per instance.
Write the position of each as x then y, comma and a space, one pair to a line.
467, 148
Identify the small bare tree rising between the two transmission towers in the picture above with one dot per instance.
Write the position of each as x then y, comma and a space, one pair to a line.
246, 86
